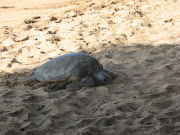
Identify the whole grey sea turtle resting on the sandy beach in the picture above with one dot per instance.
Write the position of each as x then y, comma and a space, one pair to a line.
77, 70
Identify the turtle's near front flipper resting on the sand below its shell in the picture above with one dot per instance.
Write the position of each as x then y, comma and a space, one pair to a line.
85, 82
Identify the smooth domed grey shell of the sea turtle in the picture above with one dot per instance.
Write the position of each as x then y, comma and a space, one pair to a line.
61, 68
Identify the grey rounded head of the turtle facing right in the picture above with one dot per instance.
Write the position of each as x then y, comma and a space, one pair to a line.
103, 78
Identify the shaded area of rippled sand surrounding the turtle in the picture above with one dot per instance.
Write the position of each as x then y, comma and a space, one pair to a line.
142, 99
